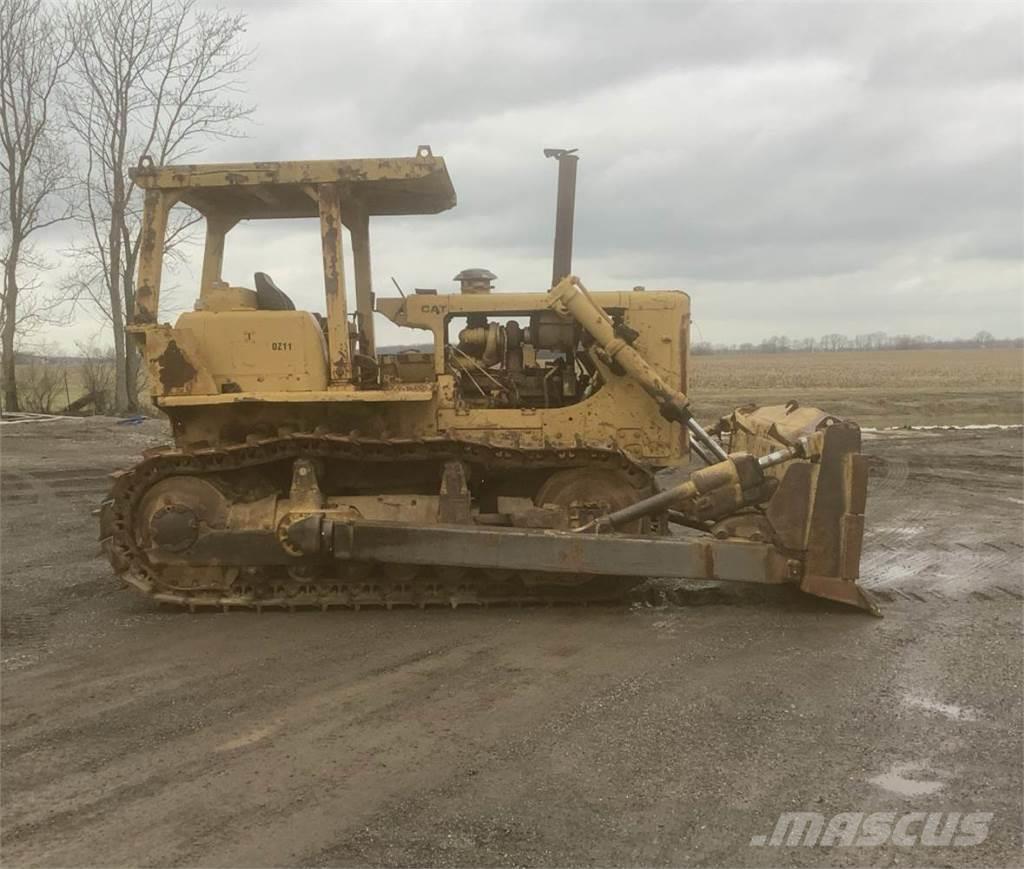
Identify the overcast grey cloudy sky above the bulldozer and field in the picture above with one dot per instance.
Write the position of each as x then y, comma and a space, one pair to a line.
798, 168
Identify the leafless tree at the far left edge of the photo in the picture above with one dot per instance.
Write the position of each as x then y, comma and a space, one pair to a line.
36, 181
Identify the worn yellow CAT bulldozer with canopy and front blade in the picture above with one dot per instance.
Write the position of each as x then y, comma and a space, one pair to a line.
510, 458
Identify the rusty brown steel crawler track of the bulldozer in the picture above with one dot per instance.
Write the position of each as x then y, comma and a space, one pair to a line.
354, 585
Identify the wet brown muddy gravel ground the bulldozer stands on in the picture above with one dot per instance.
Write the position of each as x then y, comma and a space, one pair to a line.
643, 735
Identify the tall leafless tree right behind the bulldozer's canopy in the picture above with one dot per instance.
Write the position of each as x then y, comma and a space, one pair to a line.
155, 78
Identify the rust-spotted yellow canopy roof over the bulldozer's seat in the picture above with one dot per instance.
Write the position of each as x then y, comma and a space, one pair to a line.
252, 191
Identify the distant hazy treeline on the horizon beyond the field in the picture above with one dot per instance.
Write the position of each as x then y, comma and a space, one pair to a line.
871, 341
